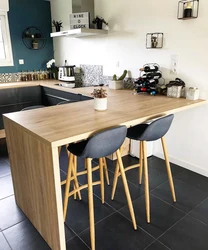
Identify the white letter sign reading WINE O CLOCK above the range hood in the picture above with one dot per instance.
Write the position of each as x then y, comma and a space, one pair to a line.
79, 20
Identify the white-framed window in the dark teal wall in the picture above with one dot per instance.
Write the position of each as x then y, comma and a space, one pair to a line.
6, 58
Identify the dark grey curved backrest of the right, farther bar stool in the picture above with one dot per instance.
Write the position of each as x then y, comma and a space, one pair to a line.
157, 129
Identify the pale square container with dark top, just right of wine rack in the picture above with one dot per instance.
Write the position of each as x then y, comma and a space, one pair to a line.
176, 88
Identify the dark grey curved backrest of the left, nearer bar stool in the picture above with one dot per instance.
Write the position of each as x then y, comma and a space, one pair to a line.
105, 143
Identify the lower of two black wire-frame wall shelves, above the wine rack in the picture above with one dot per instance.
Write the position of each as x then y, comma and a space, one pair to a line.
154, 40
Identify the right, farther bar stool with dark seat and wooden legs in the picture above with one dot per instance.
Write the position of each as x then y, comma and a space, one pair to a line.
151, 131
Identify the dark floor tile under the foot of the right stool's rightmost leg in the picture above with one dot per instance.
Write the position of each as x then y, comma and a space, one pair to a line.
188, 197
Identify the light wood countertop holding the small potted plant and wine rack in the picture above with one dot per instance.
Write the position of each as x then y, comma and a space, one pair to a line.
62, 124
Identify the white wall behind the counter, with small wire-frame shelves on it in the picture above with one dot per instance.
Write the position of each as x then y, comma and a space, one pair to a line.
129, 21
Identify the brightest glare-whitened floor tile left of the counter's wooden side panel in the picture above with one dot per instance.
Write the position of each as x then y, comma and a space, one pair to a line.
10, 214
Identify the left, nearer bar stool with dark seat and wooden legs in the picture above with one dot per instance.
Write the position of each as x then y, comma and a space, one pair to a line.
98, 146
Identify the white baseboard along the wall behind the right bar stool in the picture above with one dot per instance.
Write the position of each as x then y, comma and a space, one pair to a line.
184, 164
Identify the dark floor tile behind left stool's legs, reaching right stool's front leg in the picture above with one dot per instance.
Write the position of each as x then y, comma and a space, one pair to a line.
120, 197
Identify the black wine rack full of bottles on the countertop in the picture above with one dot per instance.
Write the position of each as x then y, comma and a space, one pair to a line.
149, 79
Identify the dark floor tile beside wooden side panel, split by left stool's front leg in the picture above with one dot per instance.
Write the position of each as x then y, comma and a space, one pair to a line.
78, 212
